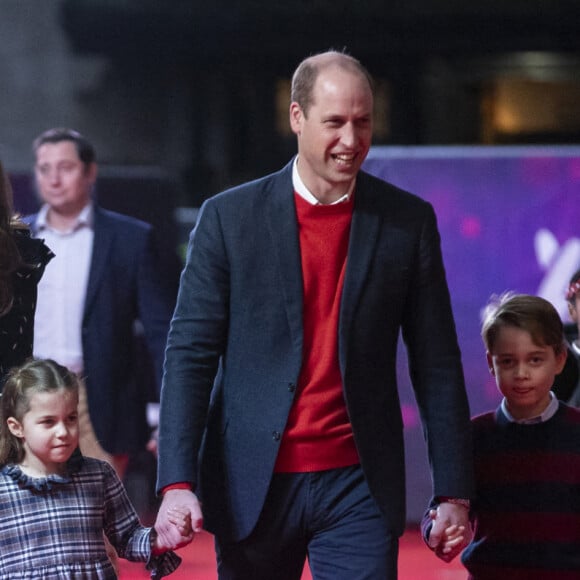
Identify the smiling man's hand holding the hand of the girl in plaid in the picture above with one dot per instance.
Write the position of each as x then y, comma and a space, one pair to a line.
179, 519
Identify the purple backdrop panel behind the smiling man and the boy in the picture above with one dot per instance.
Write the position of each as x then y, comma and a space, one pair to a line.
509, 219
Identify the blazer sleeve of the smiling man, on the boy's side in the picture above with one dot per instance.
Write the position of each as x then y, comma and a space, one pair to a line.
436, 370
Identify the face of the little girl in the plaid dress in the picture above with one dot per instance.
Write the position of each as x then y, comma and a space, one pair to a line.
49, 431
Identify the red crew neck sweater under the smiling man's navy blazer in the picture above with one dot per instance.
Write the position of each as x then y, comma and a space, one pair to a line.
318, 434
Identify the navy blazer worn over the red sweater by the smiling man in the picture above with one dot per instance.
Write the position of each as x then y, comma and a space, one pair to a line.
235, 349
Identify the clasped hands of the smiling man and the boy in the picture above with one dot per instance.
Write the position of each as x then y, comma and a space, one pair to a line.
451, 530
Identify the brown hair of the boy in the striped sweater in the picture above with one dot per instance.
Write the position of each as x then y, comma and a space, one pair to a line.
530, 313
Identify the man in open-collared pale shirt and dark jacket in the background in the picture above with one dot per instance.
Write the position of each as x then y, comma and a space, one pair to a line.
105, 297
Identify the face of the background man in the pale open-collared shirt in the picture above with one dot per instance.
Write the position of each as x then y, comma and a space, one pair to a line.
63, 180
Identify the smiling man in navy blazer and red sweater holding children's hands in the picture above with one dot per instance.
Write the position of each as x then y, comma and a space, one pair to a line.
280, 415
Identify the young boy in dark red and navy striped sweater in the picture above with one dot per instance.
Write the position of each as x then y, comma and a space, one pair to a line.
526, 515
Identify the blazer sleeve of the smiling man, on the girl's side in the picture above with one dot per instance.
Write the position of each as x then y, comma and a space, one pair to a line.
195, 344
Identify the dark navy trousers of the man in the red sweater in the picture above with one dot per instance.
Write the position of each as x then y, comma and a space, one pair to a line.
327, 516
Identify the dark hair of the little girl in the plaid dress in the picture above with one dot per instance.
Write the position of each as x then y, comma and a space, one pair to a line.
34, 376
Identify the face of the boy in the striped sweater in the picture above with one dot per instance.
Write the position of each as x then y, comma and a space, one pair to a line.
524, 372
